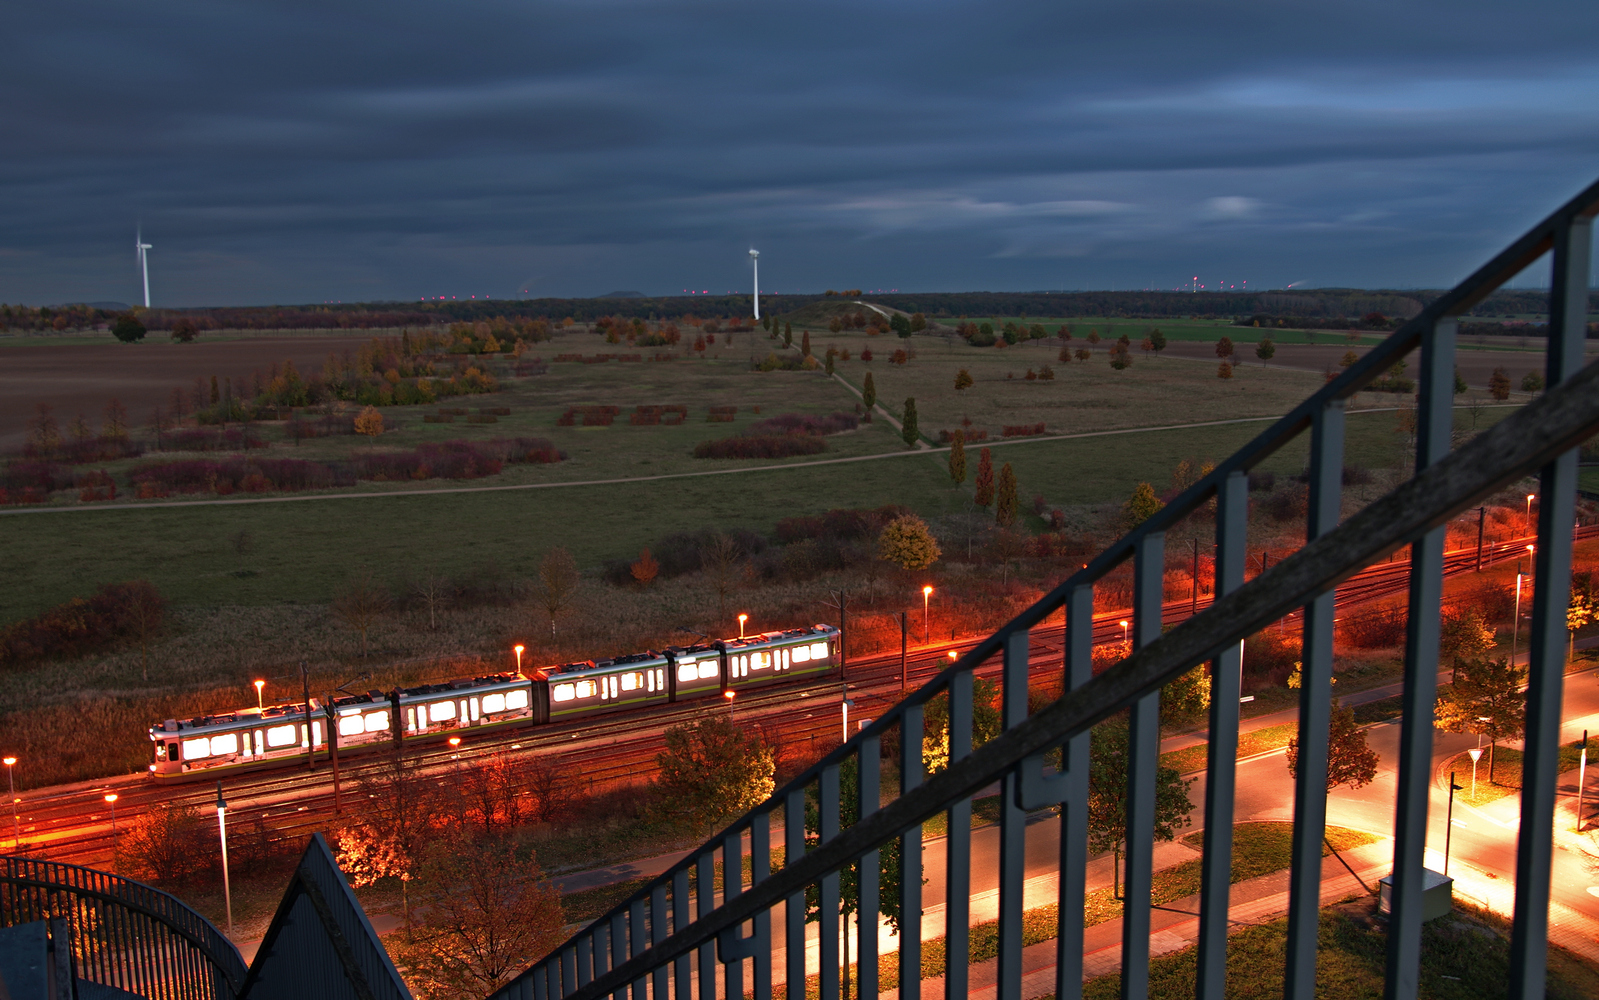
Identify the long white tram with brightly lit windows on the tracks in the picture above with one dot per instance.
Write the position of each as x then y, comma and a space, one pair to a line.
250, 738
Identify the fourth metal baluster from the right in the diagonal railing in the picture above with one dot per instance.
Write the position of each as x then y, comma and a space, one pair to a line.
1216, 876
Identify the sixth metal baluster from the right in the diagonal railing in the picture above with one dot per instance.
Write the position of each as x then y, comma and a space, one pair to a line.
1075, 807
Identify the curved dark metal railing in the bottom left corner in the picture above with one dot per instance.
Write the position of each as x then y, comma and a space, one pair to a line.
124, 934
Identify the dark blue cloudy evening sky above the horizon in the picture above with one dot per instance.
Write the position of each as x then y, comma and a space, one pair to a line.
309, 151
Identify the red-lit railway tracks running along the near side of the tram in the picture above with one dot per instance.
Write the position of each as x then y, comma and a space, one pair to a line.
74, 823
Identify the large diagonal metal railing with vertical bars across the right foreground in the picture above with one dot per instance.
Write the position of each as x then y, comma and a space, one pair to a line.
674, 938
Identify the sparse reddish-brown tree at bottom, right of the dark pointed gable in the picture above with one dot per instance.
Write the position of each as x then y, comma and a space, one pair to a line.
490, 914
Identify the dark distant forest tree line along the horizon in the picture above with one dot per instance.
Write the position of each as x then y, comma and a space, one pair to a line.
1312, 308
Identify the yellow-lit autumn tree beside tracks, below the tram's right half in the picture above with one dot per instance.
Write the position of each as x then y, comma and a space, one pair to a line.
711, 772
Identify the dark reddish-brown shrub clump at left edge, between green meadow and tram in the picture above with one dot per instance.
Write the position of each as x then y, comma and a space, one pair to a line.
82, 626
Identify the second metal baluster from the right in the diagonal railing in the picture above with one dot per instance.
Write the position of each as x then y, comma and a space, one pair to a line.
1435, 428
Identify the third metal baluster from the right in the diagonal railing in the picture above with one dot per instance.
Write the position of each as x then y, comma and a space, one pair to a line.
1310, 786
